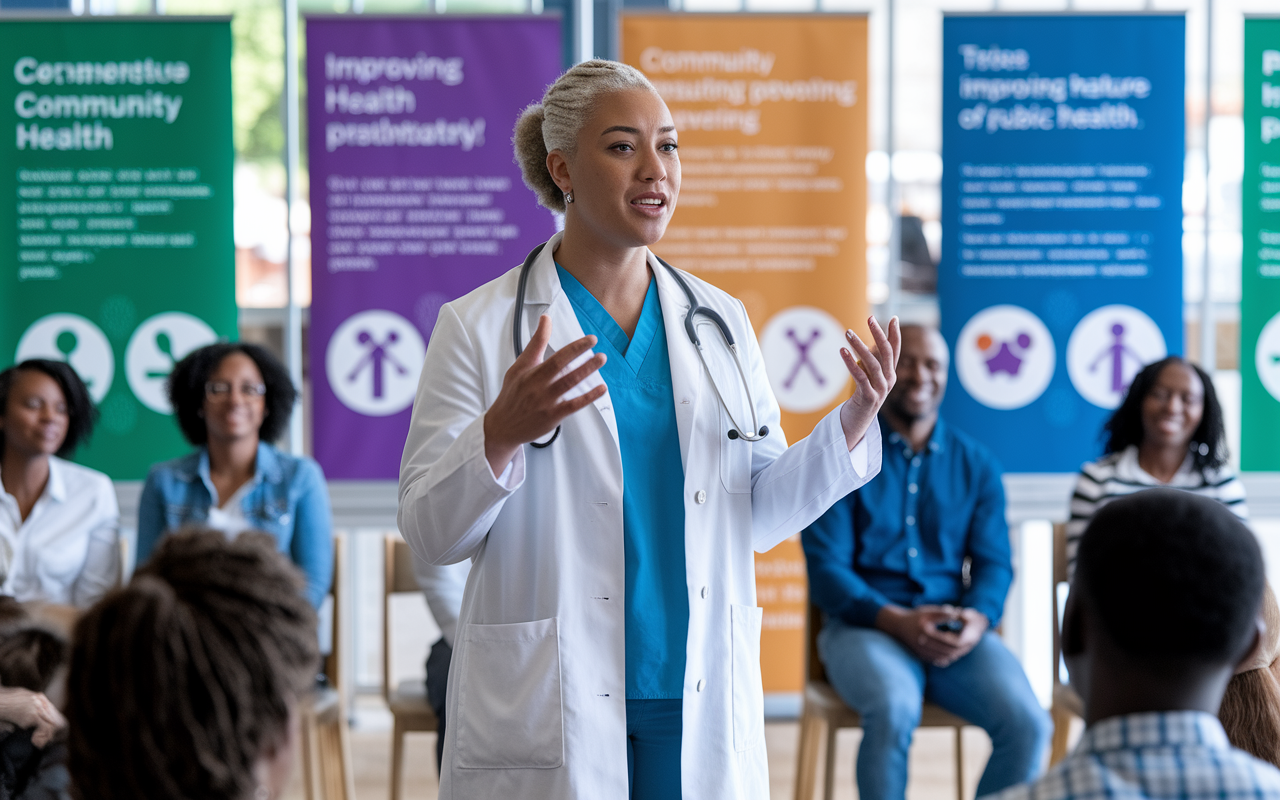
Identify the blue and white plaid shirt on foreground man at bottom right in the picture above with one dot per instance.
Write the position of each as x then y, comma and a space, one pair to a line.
1160, 756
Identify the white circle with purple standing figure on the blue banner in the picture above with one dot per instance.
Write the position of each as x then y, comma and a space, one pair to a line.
1108, 349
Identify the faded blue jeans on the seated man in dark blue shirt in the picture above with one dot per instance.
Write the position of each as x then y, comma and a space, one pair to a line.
886, 684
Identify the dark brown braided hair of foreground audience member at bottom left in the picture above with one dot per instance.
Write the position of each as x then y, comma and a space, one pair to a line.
181, 682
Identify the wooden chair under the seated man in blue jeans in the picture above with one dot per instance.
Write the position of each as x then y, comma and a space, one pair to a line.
826, 714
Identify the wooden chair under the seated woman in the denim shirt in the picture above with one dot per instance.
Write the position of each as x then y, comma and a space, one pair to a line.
327, 771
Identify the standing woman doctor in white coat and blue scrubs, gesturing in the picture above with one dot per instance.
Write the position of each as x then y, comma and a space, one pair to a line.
609, 644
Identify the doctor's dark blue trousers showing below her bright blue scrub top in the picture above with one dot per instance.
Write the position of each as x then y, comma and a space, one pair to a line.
655, 729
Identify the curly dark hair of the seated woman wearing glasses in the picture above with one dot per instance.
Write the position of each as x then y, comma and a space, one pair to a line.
190, 376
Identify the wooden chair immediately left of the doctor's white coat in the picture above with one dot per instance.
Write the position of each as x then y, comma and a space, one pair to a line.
408, 701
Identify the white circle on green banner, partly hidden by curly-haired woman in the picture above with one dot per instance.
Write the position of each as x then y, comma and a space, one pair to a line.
156, 348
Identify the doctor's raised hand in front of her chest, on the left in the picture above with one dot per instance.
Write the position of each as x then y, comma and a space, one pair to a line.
531, 403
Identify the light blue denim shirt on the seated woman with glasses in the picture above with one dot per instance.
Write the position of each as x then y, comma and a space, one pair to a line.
289, 500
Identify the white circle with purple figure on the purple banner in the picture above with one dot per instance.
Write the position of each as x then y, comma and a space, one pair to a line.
373, 363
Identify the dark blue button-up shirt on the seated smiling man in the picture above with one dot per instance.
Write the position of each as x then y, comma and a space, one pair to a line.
904, 537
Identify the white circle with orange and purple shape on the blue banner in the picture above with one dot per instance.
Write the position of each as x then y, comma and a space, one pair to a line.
1005, 358
